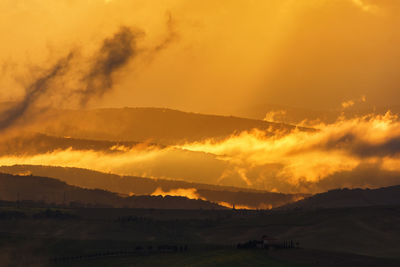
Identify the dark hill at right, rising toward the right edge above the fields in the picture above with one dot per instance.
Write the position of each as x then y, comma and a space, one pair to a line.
340, 198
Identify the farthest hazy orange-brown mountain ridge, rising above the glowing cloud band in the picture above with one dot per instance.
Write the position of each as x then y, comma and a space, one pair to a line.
157, 125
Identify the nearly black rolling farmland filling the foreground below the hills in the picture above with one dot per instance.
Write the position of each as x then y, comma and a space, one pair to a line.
40, 236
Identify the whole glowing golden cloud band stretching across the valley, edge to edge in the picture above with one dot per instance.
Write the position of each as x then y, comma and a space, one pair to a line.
359, 152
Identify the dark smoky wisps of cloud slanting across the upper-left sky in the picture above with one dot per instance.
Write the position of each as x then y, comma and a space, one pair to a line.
114, 53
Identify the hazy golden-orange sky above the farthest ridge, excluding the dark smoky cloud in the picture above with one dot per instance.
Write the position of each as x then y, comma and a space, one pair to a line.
220, 57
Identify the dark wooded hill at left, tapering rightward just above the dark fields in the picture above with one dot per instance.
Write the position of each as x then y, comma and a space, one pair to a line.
48, 190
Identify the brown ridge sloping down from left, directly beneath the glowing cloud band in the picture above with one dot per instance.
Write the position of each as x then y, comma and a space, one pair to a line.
146, 186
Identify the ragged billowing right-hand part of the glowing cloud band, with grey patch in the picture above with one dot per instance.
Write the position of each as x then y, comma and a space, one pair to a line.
300, 160
